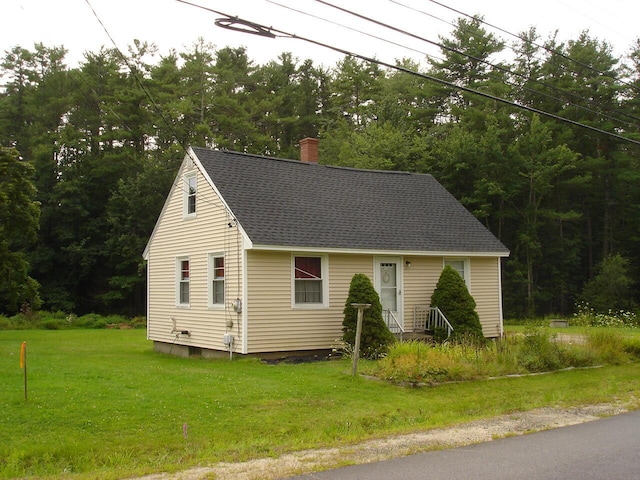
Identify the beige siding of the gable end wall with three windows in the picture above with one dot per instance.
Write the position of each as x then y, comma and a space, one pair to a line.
197, 237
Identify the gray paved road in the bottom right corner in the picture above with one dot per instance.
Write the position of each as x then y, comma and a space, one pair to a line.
607, 449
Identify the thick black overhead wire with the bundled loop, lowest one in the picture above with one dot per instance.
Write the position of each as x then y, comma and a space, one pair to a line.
281, 33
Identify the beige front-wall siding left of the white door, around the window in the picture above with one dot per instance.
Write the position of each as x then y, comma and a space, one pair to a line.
274, 324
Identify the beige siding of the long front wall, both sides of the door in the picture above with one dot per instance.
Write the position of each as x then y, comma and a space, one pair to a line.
274, 325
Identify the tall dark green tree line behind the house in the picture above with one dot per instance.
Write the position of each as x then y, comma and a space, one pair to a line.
94, 149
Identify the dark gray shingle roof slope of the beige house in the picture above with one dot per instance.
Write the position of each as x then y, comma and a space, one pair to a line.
289, 203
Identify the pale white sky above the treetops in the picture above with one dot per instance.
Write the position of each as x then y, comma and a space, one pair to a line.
170, 24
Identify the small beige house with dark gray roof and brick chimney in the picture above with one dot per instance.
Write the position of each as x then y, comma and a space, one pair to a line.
254, 255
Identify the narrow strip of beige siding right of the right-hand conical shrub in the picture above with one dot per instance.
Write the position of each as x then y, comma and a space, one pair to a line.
485, 289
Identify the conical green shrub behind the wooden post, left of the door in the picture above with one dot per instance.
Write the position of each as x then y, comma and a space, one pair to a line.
376, 336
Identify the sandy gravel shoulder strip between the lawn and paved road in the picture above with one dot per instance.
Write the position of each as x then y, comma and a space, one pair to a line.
308, 461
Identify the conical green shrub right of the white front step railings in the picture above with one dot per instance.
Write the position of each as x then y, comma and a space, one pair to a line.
454, 300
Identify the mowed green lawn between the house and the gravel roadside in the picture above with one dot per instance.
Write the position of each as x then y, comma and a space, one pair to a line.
102, 404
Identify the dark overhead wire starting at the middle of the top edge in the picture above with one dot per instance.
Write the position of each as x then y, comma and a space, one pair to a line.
483, 61
